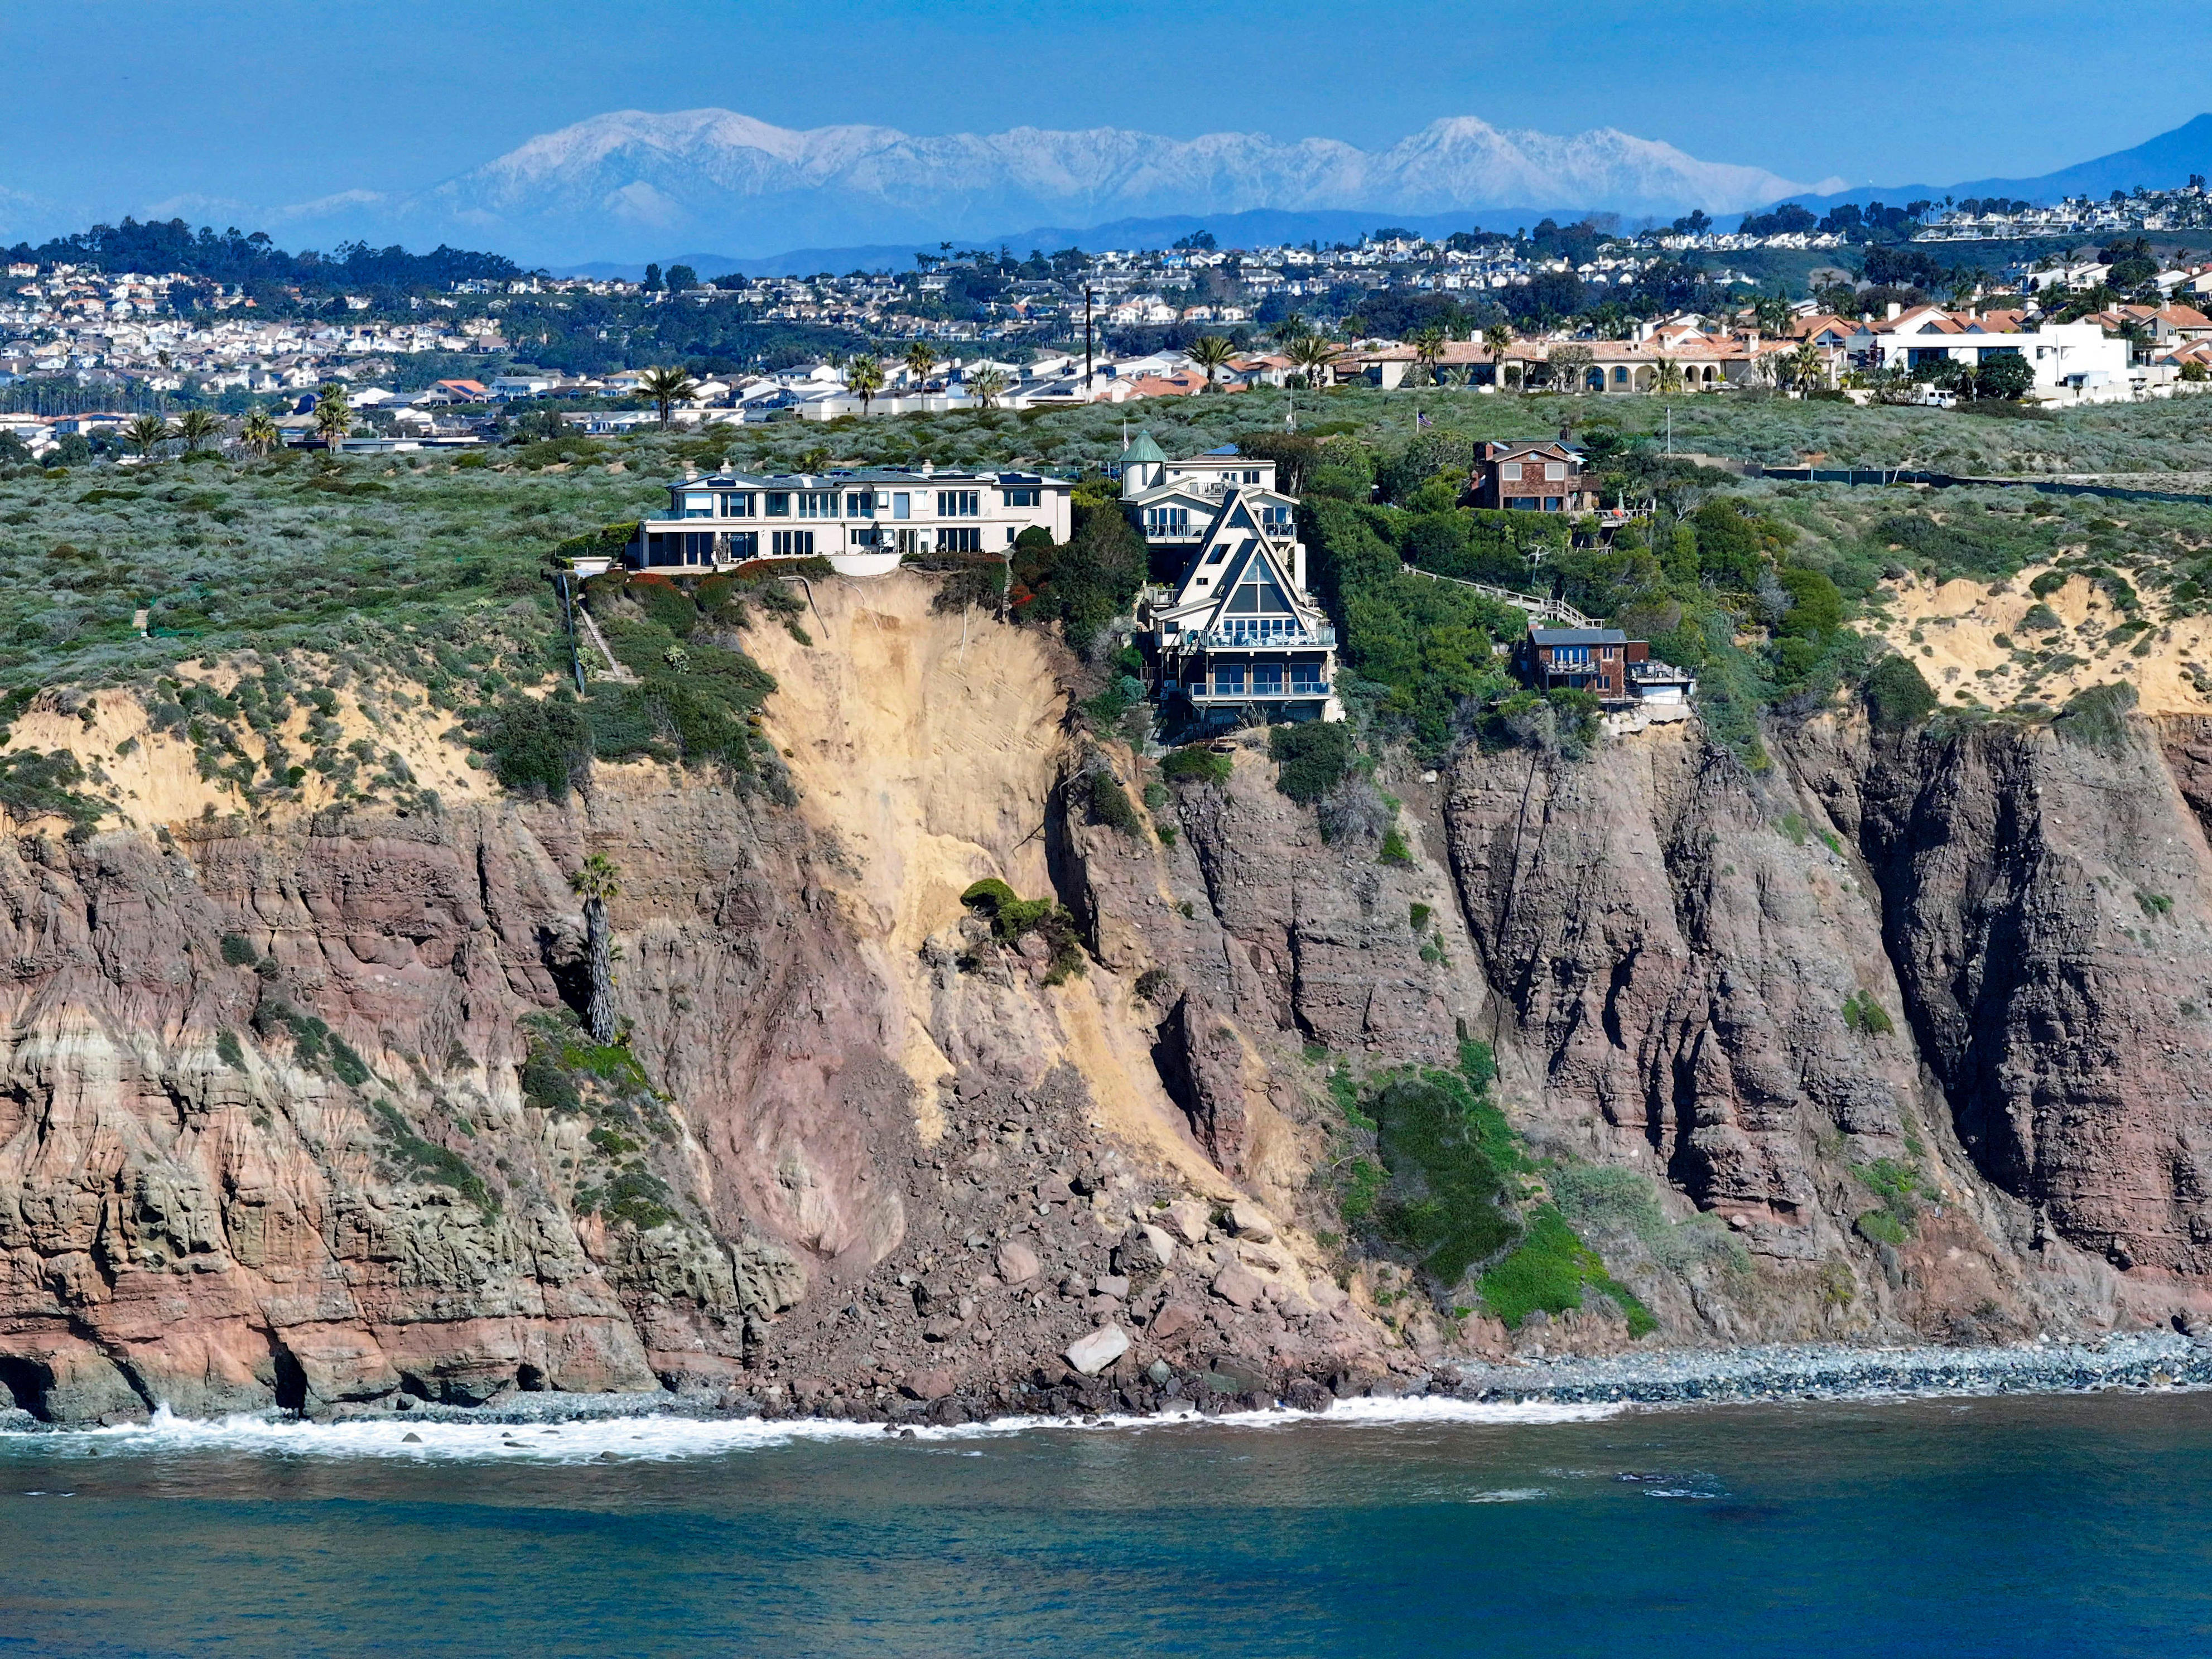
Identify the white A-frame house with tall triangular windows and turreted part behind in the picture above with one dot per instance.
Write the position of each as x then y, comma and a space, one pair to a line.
1233, 636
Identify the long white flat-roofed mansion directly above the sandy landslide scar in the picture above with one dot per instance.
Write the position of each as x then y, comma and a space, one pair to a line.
862, 521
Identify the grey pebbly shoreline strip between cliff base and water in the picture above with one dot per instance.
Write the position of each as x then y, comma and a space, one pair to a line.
1669, 1377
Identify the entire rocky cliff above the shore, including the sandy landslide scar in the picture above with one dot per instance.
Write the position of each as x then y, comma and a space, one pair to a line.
1897, 1036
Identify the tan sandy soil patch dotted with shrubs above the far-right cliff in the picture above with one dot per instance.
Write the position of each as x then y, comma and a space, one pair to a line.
1952, 634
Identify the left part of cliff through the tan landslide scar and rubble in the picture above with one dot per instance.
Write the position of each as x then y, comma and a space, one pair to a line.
267, 1134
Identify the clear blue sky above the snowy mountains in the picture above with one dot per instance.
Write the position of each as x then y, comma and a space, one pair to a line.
123, 105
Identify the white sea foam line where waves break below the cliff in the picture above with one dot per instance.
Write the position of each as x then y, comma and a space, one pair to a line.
665, 1439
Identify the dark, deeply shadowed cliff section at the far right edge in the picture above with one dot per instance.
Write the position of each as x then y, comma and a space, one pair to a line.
2047, 906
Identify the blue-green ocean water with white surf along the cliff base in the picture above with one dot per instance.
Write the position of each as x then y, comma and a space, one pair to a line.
1976, 1527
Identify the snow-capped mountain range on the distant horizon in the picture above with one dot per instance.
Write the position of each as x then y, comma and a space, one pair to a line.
636, 182
